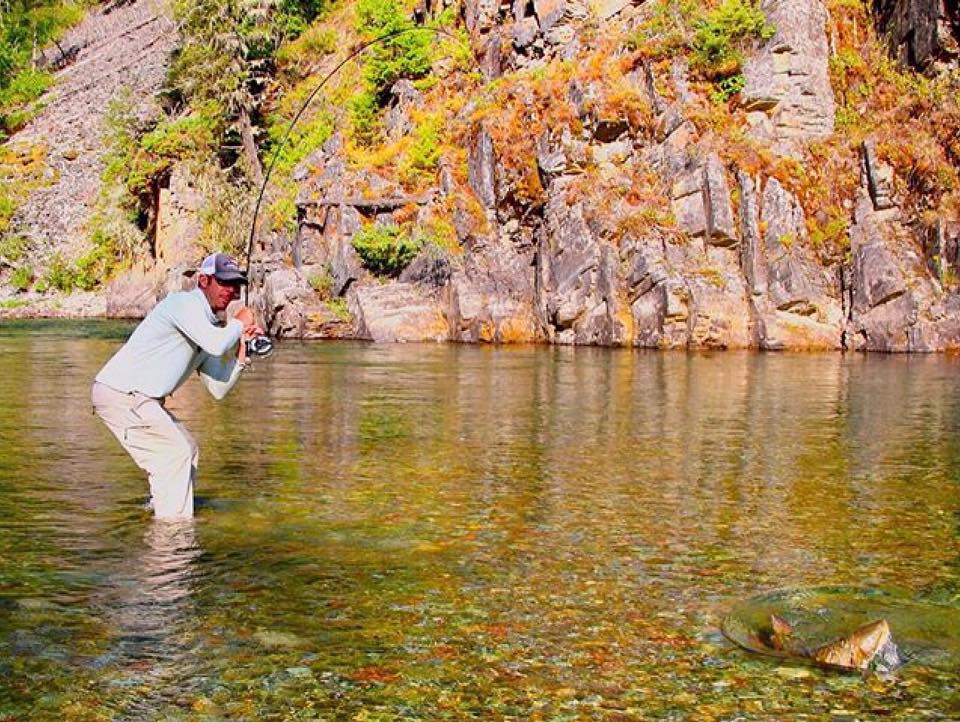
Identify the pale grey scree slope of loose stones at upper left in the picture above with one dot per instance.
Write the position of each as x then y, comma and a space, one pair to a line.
119, 54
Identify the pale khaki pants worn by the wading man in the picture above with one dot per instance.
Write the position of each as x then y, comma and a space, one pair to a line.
158, 443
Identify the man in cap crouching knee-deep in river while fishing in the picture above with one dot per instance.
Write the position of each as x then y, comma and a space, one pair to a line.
180, 335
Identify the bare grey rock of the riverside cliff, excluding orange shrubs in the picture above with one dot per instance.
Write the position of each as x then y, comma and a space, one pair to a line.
736, 268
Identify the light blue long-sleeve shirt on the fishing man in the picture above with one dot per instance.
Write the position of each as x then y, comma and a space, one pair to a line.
179, 336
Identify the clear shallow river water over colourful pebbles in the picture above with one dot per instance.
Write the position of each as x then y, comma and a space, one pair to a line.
457, 532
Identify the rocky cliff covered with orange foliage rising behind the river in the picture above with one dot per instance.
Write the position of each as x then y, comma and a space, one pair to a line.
596, 190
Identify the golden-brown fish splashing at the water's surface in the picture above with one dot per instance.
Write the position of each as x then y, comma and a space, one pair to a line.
870, 647
